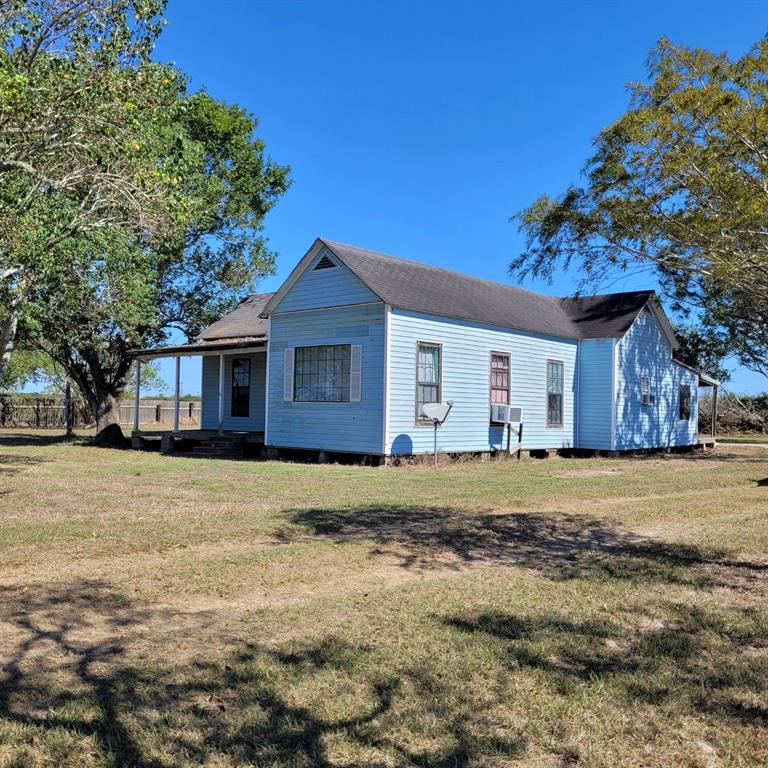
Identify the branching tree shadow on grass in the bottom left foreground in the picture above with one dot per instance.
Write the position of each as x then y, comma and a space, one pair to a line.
69, 685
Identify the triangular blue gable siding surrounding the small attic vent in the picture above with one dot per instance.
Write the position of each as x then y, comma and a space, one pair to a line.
333, 287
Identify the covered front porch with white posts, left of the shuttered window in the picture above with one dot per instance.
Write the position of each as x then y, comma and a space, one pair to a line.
233, 399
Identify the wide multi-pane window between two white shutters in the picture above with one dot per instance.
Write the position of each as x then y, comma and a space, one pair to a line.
322, 374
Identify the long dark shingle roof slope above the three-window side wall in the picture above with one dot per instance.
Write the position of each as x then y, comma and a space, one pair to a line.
424, 288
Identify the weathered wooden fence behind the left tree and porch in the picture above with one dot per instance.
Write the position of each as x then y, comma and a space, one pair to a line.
49, 412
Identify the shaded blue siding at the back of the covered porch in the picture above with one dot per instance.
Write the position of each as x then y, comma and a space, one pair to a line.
210, 390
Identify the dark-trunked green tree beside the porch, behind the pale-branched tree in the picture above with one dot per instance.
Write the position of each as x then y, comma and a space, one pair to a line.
130, 291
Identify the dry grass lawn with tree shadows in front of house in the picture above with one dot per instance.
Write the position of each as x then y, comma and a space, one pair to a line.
161, 611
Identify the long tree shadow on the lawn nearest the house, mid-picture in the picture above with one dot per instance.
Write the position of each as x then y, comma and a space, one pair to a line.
563, 547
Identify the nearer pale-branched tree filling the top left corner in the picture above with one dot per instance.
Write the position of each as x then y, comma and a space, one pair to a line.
79, 106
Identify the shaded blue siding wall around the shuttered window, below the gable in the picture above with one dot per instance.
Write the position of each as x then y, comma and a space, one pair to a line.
349, 427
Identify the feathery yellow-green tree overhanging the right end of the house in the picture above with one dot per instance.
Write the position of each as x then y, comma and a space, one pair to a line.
678, 186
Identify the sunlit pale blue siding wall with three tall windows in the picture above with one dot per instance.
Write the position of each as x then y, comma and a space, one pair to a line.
467, 347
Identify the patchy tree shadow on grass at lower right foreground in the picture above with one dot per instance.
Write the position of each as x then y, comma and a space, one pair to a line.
700, 659
